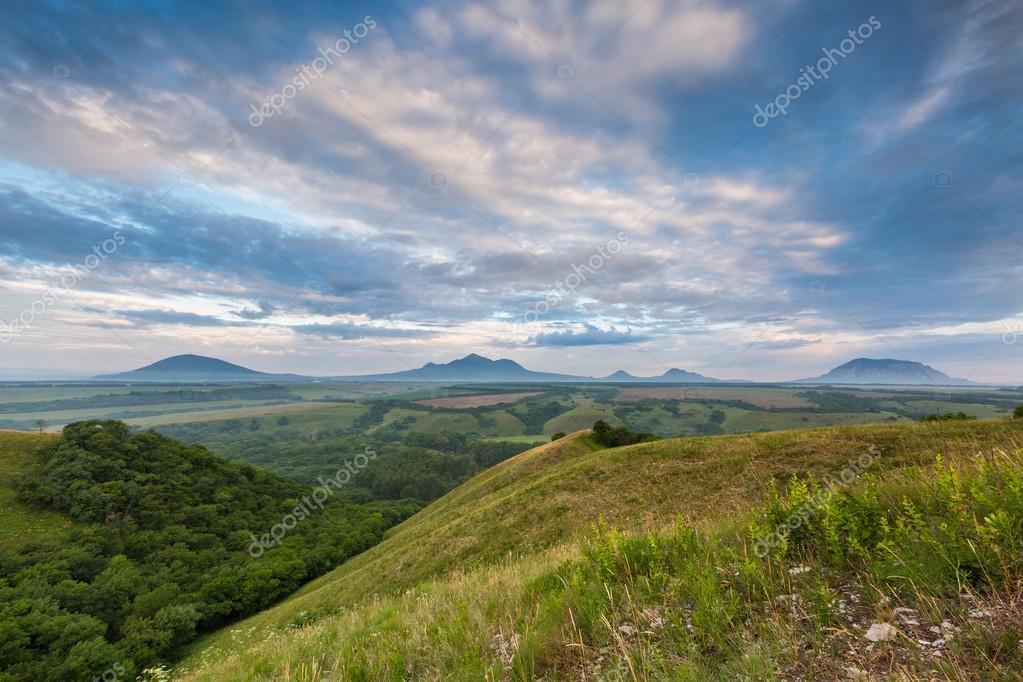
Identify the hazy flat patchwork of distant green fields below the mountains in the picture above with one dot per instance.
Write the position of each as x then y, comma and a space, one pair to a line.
658, 410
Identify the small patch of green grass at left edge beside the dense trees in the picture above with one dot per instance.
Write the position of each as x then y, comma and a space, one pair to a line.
21, 523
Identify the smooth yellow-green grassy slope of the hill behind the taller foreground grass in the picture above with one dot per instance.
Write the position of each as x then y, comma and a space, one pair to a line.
539, 505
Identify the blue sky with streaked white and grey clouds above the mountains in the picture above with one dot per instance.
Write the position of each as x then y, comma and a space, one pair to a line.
747, 190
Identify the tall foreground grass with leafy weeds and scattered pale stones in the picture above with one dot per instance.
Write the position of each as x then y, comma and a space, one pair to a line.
936, 552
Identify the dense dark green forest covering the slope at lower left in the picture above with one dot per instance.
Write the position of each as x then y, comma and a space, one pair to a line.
161, 551
